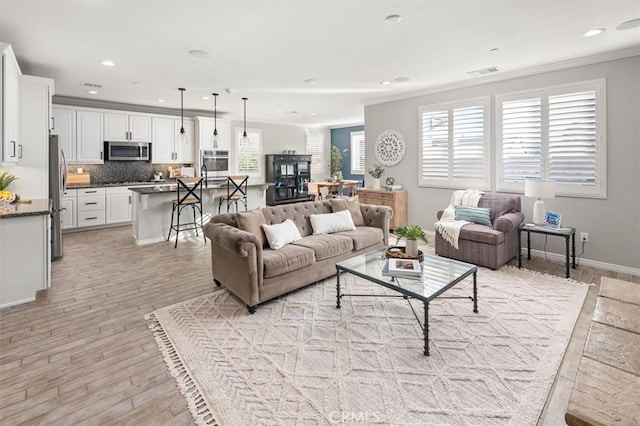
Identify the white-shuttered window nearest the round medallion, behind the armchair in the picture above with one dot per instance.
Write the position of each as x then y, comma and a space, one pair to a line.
454, 152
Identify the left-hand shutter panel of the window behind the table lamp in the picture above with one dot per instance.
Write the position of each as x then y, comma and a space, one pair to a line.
521, 140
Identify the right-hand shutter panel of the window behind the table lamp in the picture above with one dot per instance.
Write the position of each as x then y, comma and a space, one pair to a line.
572, 139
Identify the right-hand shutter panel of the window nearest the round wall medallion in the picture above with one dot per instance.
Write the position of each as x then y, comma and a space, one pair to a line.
468, 143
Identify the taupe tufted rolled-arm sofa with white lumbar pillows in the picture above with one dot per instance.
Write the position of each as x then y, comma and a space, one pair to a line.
243, 262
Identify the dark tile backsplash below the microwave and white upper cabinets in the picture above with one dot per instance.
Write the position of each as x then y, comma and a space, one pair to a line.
121, 171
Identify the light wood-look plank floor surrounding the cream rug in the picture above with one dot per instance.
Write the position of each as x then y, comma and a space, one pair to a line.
82, 353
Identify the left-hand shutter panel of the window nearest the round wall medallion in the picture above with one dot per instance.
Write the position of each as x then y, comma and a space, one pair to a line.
435, 145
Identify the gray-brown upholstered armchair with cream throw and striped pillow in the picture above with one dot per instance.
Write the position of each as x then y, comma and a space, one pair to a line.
489, 246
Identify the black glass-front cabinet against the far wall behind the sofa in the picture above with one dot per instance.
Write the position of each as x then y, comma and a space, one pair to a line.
289, 175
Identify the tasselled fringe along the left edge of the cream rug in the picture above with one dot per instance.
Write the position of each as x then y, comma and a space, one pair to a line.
195, 401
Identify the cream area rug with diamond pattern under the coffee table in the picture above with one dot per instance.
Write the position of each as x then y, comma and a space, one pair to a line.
300, 361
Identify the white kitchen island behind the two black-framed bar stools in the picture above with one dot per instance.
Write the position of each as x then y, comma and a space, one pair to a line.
152, 205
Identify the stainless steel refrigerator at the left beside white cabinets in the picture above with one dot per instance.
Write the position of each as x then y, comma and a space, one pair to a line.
57, 187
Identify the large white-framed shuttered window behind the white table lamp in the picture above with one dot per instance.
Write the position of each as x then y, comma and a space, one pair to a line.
555, 133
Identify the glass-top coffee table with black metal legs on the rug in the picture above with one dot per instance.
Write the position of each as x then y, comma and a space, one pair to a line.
439, 274
